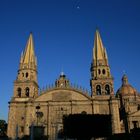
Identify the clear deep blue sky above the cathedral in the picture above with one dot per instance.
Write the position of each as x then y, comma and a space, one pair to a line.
63, 32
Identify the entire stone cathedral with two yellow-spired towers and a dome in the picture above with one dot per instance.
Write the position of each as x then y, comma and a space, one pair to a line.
29, 106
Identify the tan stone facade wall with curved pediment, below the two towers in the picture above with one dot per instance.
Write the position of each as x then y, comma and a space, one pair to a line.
54, 107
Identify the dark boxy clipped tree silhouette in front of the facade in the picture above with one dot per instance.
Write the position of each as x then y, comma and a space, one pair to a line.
86, 126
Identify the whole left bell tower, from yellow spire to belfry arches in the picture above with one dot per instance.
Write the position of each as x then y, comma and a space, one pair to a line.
26, 86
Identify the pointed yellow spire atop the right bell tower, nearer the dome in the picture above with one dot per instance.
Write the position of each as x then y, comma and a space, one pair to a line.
99, 52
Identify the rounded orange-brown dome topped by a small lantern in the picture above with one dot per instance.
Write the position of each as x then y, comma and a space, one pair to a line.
126, 88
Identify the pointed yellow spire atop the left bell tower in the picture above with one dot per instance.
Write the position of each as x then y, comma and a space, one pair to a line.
29, 55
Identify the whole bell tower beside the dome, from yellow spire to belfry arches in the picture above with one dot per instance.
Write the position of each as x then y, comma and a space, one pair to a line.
101, 80
